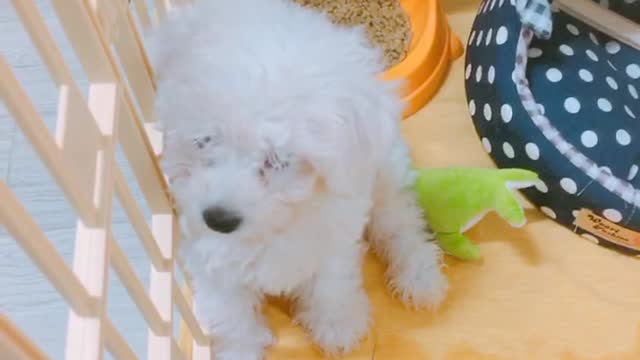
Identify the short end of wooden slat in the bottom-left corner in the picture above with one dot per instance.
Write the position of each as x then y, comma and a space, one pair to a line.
15, 345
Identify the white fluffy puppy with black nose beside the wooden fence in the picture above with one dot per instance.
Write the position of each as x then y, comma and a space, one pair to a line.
282, 146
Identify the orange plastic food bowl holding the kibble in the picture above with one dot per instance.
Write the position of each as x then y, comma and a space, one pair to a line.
432, 49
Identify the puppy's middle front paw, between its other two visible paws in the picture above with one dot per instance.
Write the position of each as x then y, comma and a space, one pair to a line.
338, 328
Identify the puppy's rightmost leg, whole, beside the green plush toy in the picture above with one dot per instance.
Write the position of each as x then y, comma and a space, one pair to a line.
398, 233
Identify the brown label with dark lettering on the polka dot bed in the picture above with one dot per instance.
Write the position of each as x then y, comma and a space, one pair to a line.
606, 229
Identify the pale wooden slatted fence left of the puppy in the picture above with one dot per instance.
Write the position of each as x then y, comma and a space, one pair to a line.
81, 158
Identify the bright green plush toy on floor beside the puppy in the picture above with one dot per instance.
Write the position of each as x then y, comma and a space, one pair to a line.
455, 199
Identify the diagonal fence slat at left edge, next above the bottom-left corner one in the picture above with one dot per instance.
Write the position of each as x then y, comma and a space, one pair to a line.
32, 239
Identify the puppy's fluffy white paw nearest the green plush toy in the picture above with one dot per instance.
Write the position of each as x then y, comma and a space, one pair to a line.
419, 280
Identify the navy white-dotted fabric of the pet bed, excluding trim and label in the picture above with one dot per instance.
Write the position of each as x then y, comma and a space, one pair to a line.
609, 108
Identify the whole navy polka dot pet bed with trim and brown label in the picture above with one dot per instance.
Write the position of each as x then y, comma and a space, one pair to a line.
561, 98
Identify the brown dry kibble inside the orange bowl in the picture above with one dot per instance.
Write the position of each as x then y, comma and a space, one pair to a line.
386, 22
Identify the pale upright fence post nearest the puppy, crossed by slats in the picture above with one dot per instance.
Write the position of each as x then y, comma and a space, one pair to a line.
164, 229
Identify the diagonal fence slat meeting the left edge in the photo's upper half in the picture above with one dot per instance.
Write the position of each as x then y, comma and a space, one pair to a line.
34, 128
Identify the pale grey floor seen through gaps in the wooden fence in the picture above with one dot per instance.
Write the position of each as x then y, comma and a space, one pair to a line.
25, 296
